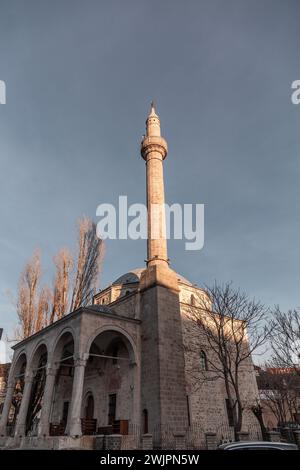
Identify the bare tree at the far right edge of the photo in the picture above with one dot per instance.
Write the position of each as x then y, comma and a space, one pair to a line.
285, 338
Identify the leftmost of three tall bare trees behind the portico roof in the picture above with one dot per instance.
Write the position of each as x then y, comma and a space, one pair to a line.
32, 302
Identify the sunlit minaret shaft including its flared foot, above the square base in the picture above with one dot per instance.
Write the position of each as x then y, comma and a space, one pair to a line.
154, 150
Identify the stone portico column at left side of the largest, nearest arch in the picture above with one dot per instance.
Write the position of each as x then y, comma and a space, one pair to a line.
74, 419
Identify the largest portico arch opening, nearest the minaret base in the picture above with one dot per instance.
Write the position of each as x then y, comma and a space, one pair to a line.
111, 371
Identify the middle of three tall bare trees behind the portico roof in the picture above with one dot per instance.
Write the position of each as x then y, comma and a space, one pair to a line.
61, 289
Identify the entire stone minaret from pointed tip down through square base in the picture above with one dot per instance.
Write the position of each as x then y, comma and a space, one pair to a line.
163, 392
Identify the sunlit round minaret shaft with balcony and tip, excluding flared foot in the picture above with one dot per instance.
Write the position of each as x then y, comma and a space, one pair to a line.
154, 150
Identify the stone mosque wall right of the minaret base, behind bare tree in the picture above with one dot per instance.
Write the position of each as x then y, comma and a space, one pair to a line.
207, 394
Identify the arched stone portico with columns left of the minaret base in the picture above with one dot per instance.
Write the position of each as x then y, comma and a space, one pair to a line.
68, 382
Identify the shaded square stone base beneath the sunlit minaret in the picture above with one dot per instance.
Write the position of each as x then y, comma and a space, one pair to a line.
163, 377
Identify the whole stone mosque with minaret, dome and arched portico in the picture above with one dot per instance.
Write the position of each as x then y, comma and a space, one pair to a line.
121, 364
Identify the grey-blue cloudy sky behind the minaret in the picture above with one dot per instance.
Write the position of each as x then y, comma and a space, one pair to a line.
80, 77
